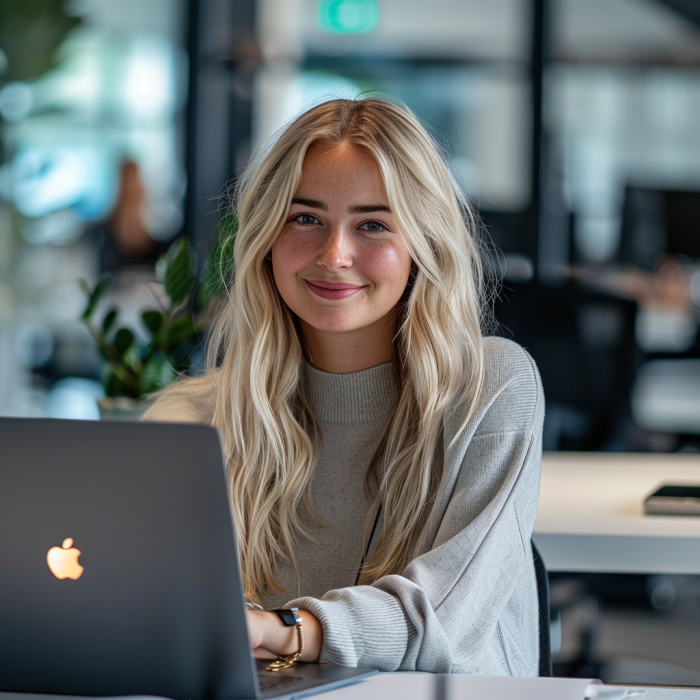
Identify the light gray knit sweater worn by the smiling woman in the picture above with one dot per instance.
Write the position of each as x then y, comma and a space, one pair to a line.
467, 602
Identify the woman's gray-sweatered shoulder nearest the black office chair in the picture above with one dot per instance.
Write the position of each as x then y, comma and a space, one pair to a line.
511, 397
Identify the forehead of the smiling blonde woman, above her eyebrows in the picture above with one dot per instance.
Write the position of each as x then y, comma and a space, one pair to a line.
341, 168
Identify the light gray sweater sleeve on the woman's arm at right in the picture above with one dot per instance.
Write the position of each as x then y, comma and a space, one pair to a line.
460, 606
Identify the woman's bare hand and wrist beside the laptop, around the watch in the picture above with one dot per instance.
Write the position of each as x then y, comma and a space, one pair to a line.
270, 637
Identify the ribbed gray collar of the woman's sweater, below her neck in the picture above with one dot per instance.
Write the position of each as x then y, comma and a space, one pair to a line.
359, 397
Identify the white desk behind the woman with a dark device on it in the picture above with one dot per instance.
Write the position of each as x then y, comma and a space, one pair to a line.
591, 514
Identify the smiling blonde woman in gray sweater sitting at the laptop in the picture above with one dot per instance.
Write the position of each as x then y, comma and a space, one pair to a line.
383, 455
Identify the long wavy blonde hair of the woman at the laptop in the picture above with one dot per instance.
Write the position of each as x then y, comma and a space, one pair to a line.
271, 438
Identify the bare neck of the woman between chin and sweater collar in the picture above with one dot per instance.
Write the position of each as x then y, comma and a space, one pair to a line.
344, 352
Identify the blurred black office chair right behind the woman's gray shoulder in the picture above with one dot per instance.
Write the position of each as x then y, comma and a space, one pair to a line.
584, 345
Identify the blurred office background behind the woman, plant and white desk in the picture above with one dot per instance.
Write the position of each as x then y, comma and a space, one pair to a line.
572, 125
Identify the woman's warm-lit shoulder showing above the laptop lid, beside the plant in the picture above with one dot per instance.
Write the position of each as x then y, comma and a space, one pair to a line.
188, 400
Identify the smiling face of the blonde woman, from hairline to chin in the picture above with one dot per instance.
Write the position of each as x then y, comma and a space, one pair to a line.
340, 264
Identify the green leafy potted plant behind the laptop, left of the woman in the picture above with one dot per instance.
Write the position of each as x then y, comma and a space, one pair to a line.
137, 364
